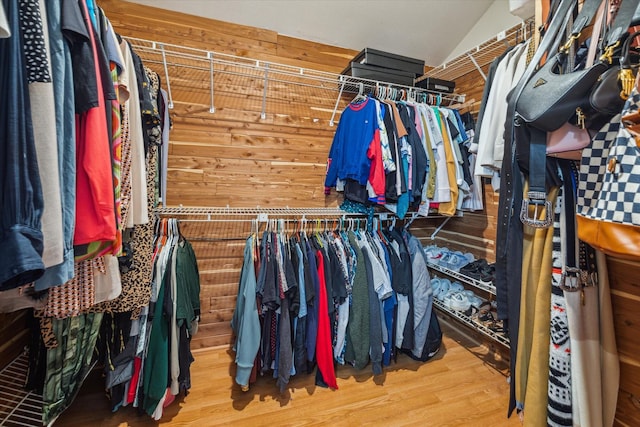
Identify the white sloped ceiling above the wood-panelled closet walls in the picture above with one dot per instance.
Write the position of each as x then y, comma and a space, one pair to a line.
431, 30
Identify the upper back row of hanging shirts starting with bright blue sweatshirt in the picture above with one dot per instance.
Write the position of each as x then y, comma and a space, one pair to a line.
403, 155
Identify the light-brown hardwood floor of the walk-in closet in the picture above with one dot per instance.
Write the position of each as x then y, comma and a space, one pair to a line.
462, 386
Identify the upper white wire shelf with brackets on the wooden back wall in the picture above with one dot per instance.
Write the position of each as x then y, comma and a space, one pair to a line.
203, 75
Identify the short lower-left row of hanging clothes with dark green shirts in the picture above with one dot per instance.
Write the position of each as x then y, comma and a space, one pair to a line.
149, 366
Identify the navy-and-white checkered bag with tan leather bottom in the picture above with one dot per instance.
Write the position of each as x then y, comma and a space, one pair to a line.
608, 205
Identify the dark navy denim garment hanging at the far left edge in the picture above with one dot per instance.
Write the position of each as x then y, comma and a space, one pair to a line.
21, 197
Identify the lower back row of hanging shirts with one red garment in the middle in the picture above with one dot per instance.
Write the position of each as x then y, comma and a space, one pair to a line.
345, 296
